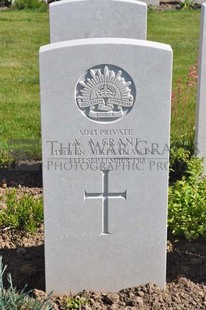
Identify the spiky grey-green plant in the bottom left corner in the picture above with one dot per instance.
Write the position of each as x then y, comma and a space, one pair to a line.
11, 299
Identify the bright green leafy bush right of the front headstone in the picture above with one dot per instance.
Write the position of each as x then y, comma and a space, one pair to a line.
187, 202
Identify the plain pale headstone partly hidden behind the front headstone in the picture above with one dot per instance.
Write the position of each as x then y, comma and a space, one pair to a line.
77, 19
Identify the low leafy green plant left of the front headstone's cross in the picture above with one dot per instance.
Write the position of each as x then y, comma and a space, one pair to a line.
25, 213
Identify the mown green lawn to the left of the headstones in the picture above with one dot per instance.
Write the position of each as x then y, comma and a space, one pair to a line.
21, 35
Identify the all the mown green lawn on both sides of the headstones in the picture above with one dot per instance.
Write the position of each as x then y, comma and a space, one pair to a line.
23, 32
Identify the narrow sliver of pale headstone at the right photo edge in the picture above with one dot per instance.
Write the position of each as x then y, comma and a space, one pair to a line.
200, 134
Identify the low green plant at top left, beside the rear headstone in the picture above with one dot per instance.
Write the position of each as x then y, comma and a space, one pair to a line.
29, 5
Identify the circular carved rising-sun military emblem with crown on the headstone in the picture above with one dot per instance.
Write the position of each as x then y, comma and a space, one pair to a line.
105, 93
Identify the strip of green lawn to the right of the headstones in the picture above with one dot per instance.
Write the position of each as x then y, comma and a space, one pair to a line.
180, 29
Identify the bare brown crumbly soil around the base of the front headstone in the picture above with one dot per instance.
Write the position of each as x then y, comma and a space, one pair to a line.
23, 253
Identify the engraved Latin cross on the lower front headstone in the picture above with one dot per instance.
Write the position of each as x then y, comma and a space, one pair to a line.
105, 195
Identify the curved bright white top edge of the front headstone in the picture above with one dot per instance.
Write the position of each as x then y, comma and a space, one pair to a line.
98, 41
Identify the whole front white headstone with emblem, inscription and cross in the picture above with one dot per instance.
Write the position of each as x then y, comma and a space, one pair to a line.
105, 128
